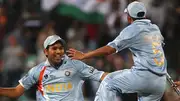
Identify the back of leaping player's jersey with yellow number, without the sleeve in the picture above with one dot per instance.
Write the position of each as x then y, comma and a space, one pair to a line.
147, 47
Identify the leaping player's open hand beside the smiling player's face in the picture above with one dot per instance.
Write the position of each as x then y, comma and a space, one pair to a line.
75, 54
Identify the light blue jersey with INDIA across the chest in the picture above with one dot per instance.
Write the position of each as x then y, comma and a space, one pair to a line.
61, 84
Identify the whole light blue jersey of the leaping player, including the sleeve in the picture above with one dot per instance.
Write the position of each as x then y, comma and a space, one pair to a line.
145, 41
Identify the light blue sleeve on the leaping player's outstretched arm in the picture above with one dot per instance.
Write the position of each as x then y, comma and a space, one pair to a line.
124, 39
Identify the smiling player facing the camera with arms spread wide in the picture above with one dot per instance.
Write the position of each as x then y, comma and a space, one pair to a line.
59, 78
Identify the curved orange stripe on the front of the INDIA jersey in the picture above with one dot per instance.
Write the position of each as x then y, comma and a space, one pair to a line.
40, 80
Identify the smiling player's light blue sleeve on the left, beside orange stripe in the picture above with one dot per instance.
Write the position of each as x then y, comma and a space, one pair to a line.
30, 79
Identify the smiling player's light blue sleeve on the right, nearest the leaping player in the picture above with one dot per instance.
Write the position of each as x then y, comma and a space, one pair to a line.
87, 72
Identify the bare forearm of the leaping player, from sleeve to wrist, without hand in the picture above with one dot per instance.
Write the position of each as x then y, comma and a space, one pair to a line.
106, 50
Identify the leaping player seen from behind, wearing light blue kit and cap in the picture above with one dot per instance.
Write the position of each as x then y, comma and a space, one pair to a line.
147, 77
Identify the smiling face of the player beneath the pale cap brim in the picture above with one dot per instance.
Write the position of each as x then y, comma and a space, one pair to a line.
55, 53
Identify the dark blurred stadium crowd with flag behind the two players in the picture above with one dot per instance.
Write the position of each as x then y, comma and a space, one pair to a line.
85, 25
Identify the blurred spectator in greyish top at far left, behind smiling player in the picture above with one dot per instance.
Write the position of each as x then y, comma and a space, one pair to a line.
13, 59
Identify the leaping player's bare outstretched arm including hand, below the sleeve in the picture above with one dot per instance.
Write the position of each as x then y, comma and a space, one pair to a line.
105, 50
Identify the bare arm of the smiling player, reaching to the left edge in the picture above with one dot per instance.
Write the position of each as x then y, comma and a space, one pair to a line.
12, 92
